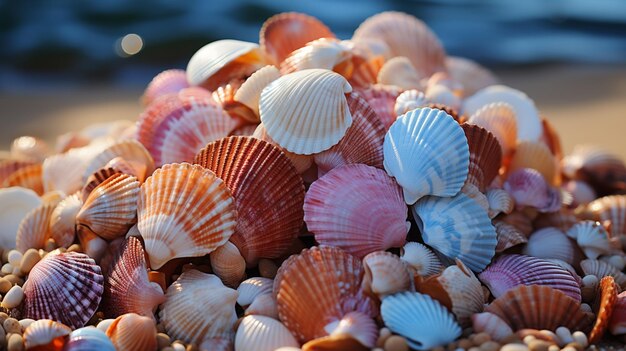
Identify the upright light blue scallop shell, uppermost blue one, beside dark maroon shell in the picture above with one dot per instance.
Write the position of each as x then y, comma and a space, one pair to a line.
439, 169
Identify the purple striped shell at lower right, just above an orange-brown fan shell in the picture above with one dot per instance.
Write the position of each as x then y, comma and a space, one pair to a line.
509, 271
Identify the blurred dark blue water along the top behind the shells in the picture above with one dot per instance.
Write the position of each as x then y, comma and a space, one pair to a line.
61, 42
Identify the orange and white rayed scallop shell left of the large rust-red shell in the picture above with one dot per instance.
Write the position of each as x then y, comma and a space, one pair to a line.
184, 210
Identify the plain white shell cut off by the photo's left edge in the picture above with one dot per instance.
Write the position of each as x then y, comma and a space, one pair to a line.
15, 204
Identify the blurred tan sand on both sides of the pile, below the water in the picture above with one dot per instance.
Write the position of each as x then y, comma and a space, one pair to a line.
587, 104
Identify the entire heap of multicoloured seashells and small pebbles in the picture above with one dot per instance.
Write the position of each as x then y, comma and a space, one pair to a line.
311, 193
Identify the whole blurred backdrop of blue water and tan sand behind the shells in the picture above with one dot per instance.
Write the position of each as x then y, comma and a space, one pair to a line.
66, 64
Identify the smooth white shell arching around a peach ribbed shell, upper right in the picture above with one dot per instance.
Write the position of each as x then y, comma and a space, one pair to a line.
529, 127
